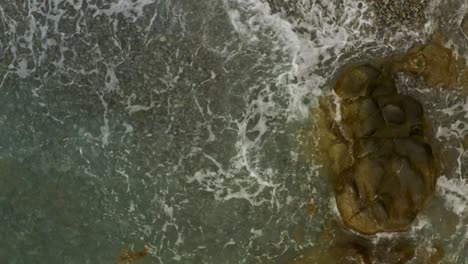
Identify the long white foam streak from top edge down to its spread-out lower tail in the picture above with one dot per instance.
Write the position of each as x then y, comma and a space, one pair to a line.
311, 65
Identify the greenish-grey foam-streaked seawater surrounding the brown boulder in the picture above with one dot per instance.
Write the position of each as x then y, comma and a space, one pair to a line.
174, 125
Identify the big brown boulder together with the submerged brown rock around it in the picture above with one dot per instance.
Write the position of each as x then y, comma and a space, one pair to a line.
377, 123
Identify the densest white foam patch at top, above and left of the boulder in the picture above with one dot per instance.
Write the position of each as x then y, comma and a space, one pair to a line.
334, 35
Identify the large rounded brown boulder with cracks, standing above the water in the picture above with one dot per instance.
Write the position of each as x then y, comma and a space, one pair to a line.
382, 164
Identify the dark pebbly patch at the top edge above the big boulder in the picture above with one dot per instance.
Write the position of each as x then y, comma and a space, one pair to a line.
390, 13
